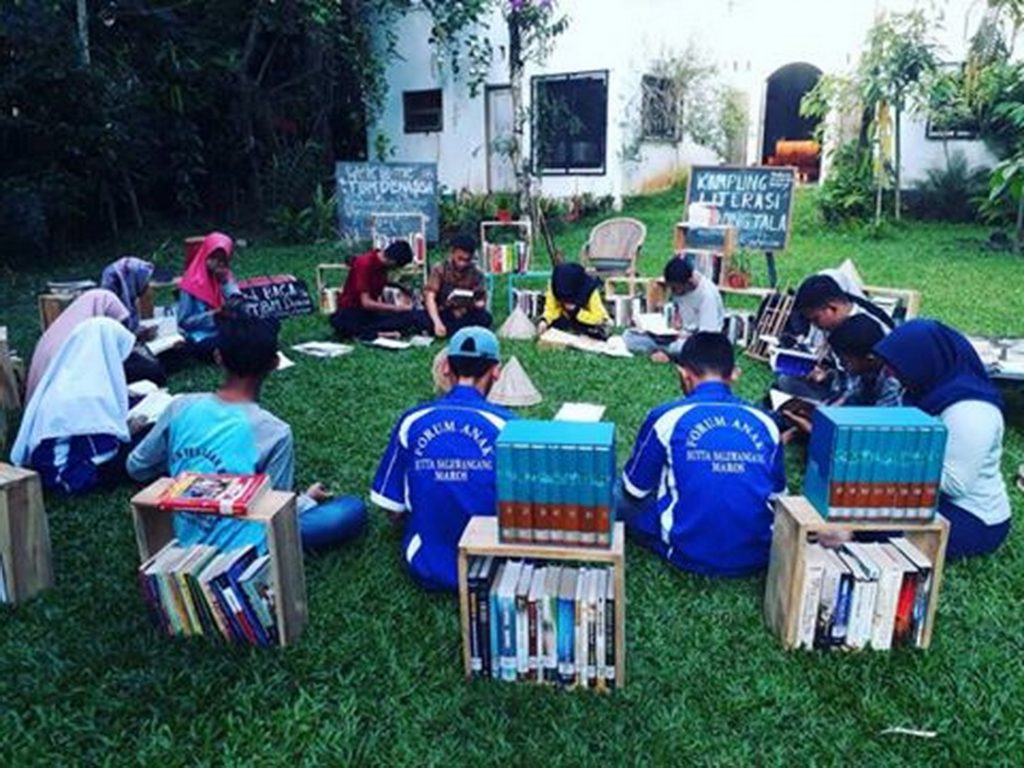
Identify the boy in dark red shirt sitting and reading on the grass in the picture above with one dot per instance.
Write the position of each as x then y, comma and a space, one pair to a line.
362, 314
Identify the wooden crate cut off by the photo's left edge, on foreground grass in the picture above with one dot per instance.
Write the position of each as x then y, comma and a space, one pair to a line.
25, 535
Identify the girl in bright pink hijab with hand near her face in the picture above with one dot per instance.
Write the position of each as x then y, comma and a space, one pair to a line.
206, 287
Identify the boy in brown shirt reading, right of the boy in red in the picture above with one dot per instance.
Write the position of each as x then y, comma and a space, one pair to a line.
445, 296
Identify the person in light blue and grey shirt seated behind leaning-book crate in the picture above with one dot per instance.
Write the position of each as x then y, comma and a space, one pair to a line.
227, 432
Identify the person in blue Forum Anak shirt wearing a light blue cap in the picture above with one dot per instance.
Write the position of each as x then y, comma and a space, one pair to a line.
439, 470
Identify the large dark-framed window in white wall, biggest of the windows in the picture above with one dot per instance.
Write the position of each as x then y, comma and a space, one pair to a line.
571, 122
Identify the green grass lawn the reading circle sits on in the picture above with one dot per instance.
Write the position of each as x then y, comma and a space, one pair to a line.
377, 676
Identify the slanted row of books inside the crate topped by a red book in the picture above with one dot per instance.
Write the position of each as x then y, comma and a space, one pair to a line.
200, 590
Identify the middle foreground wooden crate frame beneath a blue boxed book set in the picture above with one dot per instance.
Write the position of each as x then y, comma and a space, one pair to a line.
481, 540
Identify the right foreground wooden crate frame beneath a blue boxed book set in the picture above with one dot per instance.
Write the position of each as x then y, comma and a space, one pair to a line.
797, 524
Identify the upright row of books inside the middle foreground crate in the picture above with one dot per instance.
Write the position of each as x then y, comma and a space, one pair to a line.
542, 623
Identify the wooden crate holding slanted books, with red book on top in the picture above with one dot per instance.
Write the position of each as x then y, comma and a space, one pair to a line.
277, 513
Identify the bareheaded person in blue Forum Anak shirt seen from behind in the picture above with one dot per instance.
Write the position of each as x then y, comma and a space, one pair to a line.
705, 470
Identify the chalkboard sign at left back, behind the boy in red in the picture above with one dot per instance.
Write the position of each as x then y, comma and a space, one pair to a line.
366, 189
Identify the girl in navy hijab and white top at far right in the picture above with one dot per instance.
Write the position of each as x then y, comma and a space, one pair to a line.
945, 377
